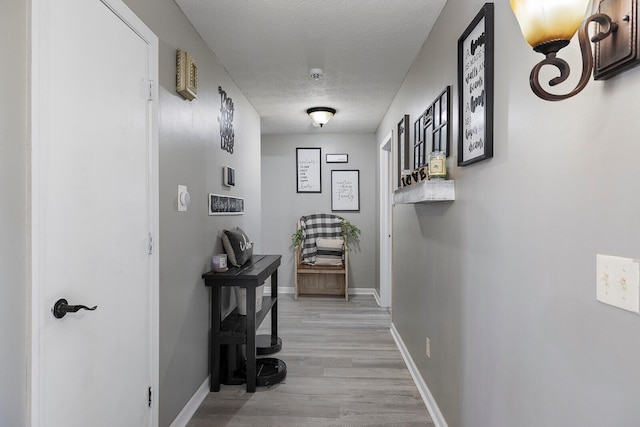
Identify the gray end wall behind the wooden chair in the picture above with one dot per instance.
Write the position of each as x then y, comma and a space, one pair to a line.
282, 205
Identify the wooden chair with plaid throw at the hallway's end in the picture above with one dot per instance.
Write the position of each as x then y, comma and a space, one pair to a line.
314, 279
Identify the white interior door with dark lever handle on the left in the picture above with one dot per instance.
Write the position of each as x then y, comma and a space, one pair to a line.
94, 208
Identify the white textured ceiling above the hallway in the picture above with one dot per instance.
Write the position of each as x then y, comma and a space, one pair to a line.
365, 48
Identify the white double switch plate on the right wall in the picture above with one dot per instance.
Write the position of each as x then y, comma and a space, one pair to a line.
618, 282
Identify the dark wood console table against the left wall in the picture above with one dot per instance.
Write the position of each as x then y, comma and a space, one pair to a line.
238, 329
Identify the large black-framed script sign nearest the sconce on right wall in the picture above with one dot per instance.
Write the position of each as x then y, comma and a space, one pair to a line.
475, 88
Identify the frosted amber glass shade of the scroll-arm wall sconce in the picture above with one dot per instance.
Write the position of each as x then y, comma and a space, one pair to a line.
543, 21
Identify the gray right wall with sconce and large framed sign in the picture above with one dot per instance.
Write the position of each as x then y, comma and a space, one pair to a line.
502, 280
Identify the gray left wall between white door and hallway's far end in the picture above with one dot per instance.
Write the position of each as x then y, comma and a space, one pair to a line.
190, 154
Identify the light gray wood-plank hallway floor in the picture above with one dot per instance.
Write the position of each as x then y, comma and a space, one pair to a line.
343, 369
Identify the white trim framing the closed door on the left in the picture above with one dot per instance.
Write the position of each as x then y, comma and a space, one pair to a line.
39, 9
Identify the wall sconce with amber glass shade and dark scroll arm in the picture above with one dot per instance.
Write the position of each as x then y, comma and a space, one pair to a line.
549, 25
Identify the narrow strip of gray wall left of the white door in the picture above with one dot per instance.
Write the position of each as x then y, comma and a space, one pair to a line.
14, 214
